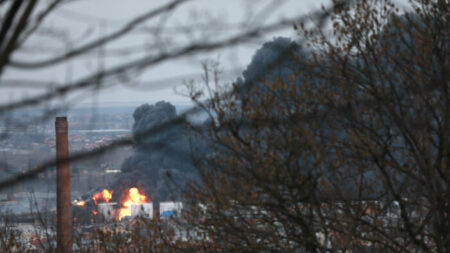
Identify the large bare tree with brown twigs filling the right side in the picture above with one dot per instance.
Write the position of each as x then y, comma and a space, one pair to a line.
340, 146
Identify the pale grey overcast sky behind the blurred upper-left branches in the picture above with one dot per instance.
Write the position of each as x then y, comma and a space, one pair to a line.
84, 20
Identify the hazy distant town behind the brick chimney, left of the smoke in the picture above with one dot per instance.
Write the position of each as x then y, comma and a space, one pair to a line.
27, 147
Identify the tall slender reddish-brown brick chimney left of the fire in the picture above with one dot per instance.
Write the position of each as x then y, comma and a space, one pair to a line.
63, 205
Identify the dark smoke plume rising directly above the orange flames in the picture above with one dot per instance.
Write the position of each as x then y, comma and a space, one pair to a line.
161, 163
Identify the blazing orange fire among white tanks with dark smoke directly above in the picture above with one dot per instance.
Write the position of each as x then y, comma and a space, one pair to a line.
158, 160
